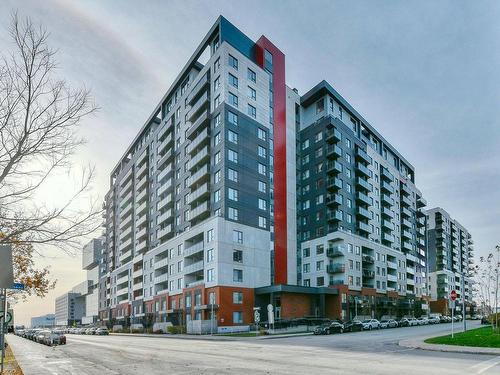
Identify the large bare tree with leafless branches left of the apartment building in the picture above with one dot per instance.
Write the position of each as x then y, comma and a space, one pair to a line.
39, 119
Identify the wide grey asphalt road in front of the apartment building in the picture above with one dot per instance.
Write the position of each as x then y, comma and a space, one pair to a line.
375, 352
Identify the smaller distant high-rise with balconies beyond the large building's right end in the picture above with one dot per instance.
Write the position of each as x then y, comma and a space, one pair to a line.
450, 257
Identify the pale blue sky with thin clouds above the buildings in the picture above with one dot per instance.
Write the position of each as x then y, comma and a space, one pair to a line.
424, 73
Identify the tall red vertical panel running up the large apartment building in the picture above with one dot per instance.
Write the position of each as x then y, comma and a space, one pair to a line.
280, 194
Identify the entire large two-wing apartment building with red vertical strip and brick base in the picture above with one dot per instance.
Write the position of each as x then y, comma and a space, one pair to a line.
239, 192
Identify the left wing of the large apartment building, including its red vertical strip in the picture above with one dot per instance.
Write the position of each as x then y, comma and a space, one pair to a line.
194, 202
